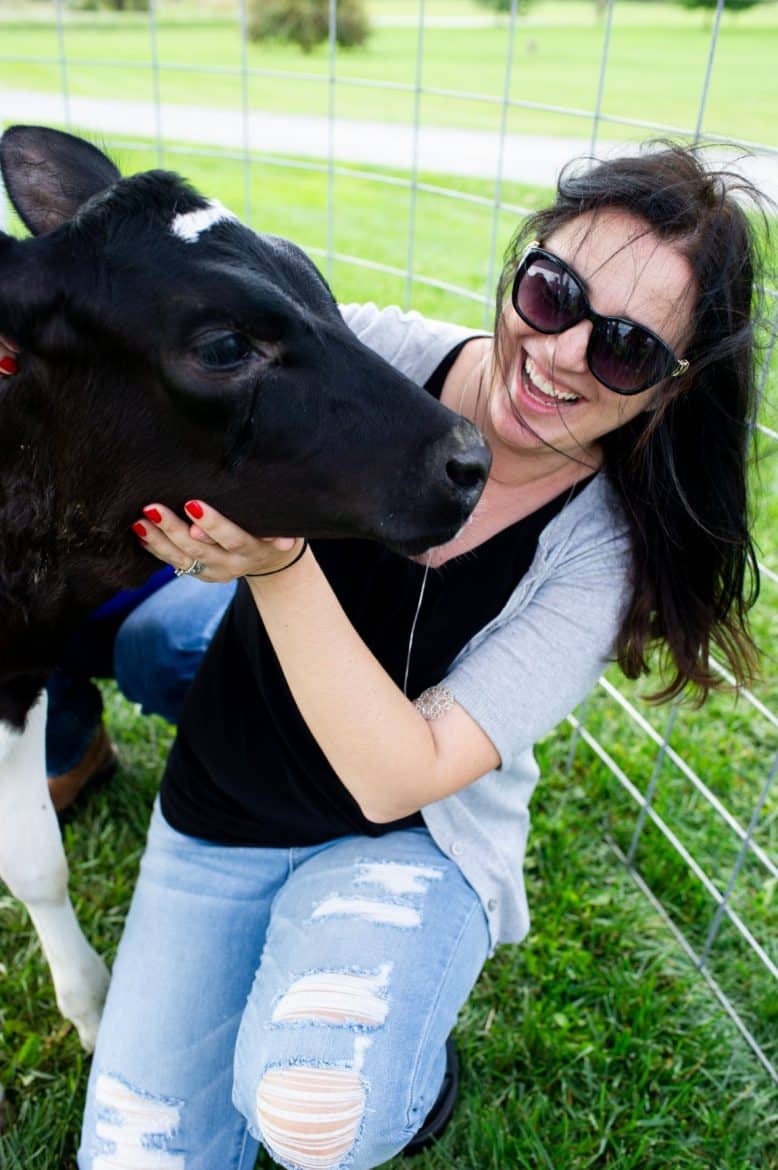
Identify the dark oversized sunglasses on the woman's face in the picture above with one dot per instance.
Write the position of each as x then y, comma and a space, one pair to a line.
624, 356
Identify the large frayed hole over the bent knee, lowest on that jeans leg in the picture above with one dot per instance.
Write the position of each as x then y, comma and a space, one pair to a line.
311, 1117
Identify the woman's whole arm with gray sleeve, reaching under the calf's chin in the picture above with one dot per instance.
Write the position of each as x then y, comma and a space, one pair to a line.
513, 686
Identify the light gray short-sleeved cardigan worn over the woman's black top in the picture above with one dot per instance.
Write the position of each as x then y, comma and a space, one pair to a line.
529, 667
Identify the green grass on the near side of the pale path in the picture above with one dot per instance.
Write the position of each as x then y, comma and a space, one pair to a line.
595, 1044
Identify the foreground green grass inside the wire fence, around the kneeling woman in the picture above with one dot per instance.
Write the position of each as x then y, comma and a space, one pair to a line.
593, 1045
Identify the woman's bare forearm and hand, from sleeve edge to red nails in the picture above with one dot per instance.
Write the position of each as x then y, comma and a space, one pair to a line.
390, 759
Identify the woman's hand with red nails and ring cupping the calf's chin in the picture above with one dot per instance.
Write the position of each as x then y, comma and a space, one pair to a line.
211, 548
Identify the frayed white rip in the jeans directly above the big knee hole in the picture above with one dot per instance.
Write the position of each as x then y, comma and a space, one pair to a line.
336, 996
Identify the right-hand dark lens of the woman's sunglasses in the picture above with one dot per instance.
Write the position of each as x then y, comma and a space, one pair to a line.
626, 357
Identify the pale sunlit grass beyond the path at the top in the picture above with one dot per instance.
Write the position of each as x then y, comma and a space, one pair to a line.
657, 65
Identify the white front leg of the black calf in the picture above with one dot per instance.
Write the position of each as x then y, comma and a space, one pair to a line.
35, 868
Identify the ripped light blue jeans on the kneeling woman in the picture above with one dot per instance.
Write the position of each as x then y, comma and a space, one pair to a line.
297, 997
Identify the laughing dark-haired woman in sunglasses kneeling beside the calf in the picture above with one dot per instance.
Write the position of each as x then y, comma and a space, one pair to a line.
345, 814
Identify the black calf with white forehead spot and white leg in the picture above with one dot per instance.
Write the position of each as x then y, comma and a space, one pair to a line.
167, 352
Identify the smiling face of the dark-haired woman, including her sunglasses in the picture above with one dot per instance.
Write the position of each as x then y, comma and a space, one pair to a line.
575, 375
